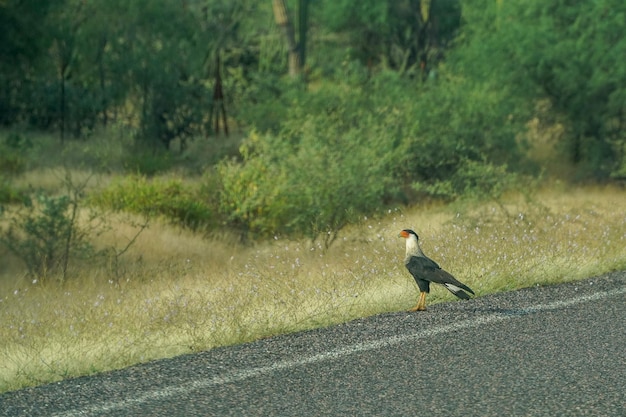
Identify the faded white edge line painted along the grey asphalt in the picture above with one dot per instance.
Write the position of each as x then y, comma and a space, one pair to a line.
239, 375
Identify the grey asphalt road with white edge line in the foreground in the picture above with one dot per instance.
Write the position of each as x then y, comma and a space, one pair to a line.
558, 350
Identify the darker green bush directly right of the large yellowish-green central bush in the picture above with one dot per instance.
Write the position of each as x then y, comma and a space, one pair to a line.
460, 121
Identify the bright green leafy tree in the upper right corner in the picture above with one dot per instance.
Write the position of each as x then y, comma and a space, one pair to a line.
570, 53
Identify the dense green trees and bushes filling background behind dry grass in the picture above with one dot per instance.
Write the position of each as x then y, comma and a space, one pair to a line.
398, 102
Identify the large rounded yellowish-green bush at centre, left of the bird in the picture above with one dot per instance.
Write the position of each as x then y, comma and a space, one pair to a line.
331, 162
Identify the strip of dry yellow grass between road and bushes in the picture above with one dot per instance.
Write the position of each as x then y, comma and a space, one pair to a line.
178, 292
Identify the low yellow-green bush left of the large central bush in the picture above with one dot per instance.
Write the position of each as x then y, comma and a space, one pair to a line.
172, 199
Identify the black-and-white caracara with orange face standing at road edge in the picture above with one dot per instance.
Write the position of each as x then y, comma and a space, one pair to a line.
425, 271
